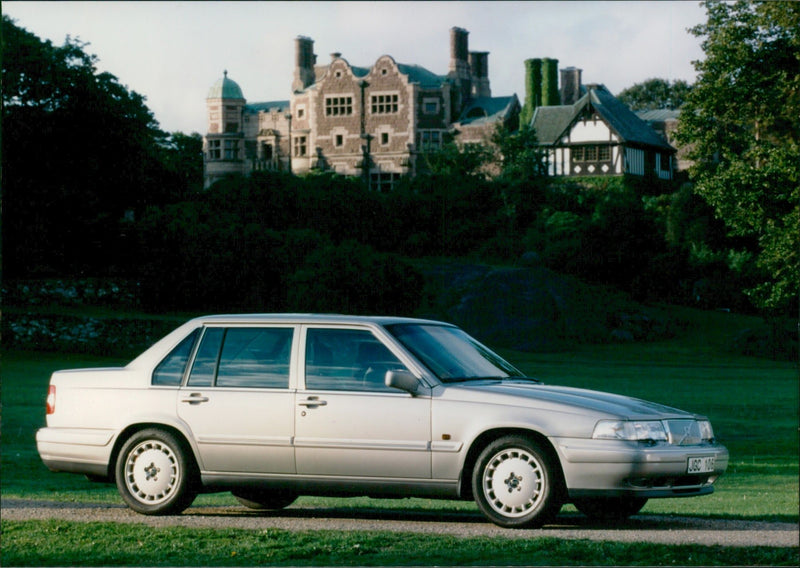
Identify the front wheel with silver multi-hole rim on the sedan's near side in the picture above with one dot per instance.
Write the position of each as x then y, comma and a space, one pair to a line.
515, 483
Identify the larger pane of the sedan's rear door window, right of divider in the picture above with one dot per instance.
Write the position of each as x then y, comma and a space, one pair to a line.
255, 357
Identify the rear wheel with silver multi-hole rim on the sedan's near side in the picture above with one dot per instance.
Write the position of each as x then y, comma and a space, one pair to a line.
155, 474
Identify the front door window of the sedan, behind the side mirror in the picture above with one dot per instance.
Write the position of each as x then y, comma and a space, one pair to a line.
347, 359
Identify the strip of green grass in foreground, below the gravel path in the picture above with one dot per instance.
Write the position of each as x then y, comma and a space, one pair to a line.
41, 543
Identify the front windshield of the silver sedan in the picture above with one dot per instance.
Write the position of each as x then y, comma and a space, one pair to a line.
451, 354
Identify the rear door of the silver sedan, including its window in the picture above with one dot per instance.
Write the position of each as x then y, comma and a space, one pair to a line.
238, 402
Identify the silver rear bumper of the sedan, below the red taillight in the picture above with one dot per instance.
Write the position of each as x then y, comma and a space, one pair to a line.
75, 450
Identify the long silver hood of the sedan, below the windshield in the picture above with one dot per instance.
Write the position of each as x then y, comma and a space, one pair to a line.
567, 399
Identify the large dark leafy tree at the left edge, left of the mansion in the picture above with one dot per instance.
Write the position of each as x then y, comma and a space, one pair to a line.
80, 151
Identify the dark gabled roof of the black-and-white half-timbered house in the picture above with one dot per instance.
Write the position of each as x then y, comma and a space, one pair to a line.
553, 122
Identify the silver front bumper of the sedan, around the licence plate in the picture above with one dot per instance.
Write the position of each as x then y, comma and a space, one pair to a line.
609, 468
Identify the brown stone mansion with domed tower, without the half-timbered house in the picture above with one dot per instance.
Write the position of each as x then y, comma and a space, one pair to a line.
375, 122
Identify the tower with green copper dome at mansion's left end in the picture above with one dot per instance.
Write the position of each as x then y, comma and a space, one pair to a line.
224, 141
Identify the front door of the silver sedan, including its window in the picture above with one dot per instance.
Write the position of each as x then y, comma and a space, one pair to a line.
348, 423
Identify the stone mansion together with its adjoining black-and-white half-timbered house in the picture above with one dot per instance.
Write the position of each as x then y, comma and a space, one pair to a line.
378, 122
